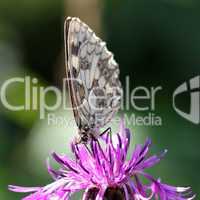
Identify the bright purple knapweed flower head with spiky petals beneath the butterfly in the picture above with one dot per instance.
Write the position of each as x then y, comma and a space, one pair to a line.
104, 173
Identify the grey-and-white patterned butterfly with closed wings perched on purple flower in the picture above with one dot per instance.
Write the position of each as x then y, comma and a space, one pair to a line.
93, 79
